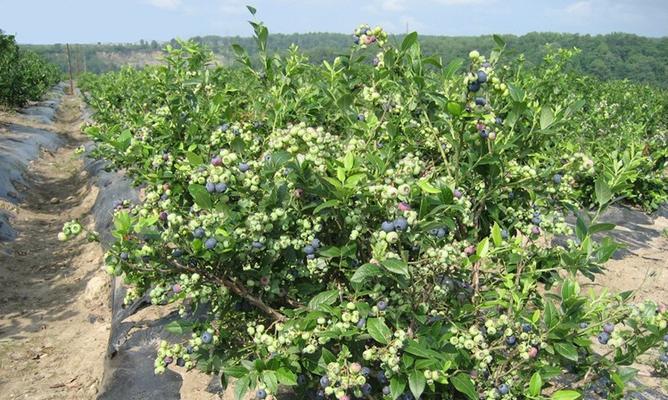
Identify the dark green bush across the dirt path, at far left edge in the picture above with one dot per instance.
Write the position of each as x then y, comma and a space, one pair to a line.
24, 76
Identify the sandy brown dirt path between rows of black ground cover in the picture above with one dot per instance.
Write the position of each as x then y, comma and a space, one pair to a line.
54, 296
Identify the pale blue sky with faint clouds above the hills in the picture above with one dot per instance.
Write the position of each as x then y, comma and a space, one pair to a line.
123, 21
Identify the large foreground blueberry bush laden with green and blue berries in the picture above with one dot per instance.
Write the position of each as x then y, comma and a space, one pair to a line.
372, 227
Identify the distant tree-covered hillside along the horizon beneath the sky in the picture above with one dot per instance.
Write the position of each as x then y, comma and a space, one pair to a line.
612, 56
